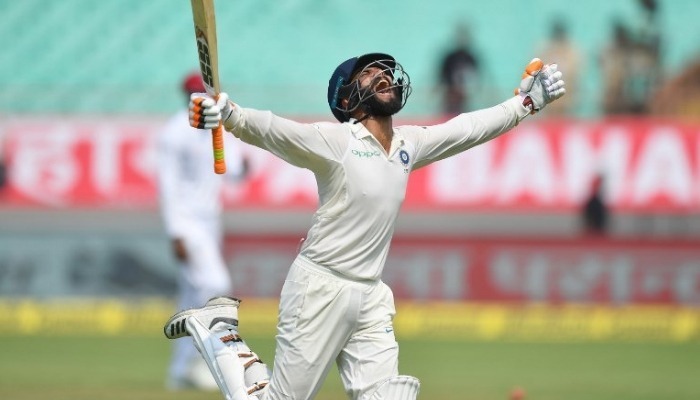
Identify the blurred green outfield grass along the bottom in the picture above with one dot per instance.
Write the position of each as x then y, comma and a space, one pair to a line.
65, 368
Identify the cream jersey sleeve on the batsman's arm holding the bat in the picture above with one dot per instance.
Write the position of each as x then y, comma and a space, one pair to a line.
303, 145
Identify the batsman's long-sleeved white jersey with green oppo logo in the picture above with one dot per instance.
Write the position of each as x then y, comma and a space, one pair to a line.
360, 186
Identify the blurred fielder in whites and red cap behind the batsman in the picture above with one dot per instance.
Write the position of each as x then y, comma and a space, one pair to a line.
191, 211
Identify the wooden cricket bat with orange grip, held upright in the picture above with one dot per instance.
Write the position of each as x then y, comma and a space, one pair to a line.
205, 33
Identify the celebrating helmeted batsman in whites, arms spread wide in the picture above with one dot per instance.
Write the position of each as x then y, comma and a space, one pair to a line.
333, 305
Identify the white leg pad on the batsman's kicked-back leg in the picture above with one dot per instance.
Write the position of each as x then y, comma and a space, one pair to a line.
222, 361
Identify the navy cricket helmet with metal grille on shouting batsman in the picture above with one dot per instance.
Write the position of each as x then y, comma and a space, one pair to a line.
341, 85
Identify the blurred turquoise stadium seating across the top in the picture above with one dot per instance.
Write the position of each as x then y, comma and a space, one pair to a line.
116, 56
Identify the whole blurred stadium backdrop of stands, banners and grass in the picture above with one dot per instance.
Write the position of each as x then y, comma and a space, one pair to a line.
498, 284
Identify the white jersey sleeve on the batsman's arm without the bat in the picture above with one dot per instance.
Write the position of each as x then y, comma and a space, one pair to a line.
434, 143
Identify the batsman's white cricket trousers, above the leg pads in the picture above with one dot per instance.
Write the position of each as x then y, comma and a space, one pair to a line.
325, 317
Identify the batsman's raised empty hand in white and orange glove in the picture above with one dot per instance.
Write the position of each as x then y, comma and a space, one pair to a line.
541, 85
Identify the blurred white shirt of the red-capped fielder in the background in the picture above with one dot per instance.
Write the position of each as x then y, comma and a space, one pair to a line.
189, 189
